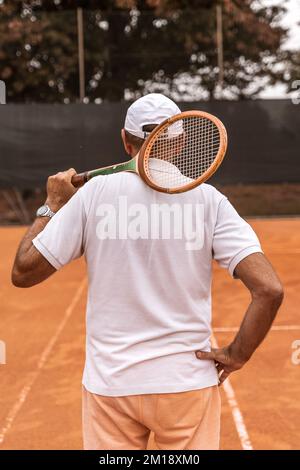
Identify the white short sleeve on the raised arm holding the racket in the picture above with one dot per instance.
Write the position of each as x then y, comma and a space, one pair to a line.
61, 241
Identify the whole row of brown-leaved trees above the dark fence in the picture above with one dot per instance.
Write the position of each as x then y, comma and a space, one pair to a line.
138, 45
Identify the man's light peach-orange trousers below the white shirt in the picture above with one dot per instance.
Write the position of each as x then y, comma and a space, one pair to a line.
178, 421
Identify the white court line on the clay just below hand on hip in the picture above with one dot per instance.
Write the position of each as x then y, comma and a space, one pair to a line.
235, 410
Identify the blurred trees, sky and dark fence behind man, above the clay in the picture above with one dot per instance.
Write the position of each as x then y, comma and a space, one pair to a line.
71, 69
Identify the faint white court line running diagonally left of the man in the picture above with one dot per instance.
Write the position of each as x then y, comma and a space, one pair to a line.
31, 378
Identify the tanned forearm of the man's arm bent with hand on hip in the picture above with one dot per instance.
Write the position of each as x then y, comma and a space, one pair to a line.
256, 324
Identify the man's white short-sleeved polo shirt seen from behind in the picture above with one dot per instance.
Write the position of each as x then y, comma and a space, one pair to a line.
149, 258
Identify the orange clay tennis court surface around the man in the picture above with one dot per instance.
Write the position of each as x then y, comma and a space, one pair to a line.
44, 327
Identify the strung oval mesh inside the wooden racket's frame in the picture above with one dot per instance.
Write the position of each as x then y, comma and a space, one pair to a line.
183, 152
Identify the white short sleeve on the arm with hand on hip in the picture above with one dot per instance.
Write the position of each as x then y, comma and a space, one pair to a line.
233, 239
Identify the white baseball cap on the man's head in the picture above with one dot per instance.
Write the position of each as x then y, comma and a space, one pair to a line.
153, 108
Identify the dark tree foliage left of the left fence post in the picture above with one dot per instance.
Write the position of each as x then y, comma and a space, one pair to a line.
38, 57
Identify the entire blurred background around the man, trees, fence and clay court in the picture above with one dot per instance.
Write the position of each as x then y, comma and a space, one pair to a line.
70, 69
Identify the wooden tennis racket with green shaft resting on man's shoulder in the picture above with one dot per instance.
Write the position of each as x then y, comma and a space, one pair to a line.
178, 155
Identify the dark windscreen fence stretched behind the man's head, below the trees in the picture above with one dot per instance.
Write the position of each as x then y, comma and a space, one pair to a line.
39, 140
